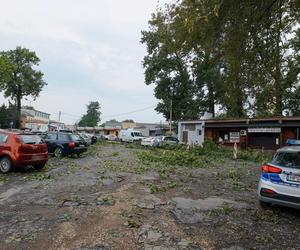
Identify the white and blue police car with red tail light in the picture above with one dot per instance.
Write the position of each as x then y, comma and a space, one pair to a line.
280, 179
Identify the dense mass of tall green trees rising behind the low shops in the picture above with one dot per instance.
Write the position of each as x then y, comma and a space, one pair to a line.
239, 57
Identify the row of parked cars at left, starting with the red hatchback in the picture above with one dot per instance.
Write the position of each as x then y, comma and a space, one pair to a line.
21, 148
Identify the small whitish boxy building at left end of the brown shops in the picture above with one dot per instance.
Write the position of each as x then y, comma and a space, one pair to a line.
191, 132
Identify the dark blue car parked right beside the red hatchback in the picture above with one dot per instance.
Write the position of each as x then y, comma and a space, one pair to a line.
61, 144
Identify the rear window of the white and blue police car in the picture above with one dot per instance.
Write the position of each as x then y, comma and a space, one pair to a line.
287, 159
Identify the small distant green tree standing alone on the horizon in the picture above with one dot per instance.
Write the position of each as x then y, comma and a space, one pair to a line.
92, 116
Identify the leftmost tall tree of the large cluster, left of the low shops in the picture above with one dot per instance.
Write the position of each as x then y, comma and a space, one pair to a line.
166, 66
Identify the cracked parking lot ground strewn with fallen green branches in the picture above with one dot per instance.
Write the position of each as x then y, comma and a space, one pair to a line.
122, 196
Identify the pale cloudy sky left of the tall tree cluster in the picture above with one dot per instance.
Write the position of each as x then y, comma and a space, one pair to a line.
90, 51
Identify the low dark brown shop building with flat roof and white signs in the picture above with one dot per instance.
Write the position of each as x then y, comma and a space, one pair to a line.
268, 133
